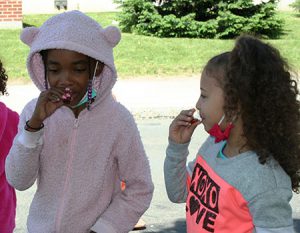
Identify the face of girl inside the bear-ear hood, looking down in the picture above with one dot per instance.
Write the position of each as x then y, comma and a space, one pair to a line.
69, 69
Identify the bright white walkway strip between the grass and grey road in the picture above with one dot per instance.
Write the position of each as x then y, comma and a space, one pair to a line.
144, 97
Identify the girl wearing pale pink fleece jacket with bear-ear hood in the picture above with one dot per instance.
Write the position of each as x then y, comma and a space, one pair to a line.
75, 140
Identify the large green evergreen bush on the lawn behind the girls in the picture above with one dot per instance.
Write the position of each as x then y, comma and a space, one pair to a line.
200, 19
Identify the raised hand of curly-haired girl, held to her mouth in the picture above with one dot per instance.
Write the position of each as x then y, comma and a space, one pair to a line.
183, 126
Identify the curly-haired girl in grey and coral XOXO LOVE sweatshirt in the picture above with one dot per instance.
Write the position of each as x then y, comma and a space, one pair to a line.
243, 176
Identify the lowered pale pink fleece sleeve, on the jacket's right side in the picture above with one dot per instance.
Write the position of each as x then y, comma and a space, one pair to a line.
128, 206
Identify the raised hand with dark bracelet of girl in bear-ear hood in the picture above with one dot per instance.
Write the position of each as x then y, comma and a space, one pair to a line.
47, 103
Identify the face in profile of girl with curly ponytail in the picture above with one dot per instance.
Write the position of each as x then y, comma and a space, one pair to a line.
210, 102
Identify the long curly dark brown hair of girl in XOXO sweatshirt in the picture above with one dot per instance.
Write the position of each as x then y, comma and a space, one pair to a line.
260, 87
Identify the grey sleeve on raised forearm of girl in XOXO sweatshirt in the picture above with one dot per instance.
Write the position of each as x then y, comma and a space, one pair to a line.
175, 171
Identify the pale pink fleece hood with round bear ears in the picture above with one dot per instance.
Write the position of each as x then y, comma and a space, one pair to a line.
78, 32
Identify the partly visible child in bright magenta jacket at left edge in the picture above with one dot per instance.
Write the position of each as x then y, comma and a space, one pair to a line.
8, 129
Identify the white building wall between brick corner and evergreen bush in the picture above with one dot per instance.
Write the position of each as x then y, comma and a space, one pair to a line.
48, 7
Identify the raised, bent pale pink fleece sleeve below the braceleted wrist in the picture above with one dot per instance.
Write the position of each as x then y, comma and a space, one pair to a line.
22, 162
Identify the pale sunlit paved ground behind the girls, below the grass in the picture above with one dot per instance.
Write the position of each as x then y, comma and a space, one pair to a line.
153, 102
